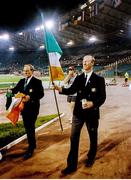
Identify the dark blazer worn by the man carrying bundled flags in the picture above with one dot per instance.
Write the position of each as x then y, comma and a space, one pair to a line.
35, 90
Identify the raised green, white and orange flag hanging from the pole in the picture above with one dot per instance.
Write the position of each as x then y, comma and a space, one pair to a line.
54, 53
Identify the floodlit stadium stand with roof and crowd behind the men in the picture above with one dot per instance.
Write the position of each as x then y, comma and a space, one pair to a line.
102, 19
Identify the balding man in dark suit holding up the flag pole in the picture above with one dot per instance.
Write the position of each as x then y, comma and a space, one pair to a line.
91, 94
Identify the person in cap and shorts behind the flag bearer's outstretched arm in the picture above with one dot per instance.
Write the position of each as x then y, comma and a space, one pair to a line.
69, 79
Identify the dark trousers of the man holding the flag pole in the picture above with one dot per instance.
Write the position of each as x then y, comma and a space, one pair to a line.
77, 125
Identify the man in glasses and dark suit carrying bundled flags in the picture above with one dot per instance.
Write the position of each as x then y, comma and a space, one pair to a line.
33, 89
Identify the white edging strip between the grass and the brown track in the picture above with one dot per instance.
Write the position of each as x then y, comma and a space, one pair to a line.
25, 136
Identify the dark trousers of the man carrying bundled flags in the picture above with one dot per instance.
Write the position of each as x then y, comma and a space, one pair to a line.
29, 124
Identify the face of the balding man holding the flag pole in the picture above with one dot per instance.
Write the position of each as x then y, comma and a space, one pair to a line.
87, 63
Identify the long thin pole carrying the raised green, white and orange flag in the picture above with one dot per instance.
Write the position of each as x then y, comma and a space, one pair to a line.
52, 77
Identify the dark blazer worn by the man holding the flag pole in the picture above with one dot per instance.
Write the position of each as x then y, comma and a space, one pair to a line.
94, 91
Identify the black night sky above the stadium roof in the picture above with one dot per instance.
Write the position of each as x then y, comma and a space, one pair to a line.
16, 14
